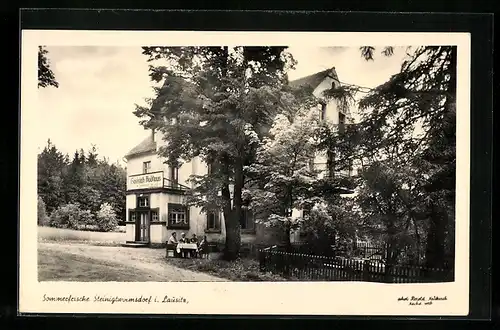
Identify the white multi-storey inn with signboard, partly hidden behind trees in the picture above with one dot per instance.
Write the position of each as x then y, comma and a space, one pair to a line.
156, 192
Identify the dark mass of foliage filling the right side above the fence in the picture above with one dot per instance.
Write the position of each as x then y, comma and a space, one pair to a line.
405, 144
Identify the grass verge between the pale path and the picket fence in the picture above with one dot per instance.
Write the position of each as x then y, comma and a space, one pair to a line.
241, 270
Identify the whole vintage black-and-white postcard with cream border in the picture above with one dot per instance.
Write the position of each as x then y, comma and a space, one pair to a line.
284, 173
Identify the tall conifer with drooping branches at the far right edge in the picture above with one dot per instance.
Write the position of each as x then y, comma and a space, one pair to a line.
409, 122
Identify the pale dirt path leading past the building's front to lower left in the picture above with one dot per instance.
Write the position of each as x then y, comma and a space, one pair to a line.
148, 264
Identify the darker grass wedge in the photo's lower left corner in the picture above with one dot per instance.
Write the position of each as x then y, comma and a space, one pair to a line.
60, 266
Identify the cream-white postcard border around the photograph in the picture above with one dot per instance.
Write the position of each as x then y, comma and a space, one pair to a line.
297, 298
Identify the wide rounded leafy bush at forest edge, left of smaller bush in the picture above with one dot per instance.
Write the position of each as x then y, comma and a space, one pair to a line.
70, 216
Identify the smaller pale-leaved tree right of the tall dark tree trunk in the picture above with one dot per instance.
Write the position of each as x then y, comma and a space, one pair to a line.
283, 174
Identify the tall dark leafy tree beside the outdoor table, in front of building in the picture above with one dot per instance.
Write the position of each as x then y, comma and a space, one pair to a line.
212, 102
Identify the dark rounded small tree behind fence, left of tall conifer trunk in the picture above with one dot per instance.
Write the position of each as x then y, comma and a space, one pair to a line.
389, 198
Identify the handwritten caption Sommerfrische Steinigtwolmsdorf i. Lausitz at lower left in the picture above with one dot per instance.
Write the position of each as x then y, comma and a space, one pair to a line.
115, 299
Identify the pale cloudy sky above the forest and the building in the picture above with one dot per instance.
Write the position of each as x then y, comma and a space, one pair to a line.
99, 87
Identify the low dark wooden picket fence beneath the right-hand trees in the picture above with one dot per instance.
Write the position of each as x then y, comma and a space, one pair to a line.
320, 268
